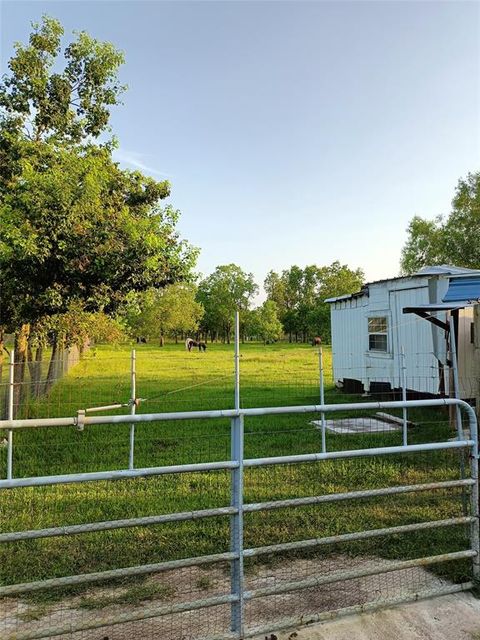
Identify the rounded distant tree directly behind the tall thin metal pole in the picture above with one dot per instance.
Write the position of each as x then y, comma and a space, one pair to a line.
223, 292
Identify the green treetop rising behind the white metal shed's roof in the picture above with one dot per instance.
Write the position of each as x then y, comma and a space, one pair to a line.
451, 240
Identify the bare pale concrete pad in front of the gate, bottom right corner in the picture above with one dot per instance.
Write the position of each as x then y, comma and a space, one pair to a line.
452, 617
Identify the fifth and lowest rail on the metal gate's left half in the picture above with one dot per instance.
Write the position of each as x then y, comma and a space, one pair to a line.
121, 618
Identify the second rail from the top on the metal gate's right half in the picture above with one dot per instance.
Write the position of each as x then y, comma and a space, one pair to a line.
357, 453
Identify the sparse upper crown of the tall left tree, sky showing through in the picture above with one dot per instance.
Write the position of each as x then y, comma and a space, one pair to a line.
62, 101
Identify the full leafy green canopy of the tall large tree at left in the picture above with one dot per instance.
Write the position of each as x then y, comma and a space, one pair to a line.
76, 231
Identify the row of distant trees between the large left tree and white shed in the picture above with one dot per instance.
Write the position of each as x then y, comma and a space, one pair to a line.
295, 306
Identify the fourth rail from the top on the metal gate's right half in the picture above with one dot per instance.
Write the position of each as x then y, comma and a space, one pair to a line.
353, 537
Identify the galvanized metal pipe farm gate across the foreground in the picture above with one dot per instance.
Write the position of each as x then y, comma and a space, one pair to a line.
242, 590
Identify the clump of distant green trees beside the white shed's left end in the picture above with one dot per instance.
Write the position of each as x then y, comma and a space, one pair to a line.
300, 293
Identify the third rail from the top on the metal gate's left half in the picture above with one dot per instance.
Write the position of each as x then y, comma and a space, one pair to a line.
74, 529
